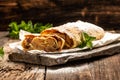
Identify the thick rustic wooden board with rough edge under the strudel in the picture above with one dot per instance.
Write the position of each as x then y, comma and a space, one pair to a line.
63, 57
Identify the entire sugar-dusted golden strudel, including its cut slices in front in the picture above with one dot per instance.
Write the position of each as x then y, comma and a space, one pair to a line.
62, 37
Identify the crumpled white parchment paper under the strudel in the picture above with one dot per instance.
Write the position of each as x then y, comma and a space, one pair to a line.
107, 39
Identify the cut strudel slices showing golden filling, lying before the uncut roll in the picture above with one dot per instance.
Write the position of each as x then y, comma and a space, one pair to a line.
46, 43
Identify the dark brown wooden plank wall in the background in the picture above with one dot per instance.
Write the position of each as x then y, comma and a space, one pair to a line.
101, 12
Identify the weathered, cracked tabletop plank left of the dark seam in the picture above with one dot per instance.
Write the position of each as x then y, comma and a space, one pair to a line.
17, 71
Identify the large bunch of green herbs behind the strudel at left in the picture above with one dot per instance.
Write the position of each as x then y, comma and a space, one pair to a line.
14, 28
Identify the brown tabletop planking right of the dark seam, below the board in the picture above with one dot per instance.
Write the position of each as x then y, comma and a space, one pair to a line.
100, 68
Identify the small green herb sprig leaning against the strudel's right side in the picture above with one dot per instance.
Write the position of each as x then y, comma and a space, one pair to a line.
86, 41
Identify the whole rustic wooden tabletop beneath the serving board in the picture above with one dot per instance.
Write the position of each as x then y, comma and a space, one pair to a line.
99, 68
